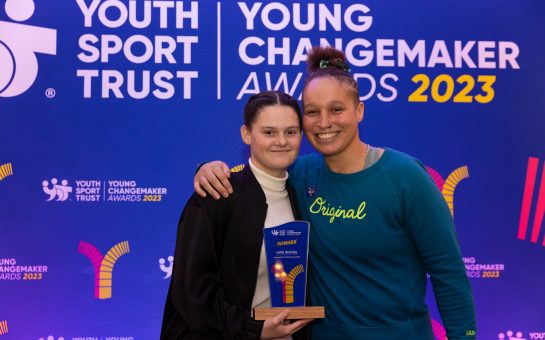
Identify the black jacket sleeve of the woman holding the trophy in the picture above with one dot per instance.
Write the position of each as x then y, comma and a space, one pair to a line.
197, 293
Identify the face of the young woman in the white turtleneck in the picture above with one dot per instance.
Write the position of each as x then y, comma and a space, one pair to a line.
274, 138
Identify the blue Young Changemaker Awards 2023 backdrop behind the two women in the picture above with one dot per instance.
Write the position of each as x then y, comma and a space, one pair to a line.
106, 107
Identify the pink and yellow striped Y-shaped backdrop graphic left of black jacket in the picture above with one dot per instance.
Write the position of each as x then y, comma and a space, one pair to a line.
103, 265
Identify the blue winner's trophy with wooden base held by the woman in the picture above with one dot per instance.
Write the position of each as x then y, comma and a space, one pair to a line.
286, 247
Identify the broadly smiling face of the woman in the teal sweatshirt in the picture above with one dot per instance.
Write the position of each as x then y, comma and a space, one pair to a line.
331, 117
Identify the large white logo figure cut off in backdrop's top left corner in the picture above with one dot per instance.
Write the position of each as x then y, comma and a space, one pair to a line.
19, 44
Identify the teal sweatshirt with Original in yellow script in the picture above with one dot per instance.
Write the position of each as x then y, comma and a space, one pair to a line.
374, 236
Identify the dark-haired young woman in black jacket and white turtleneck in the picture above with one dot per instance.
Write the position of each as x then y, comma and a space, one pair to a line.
220, 271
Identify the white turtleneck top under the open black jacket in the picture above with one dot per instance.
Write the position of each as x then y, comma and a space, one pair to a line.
278, 212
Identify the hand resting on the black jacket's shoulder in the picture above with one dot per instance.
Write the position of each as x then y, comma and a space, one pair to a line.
213, 178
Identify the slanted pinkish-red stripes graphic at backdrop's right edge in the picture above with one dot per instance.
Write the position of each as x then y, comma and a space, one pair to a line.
527, 198
